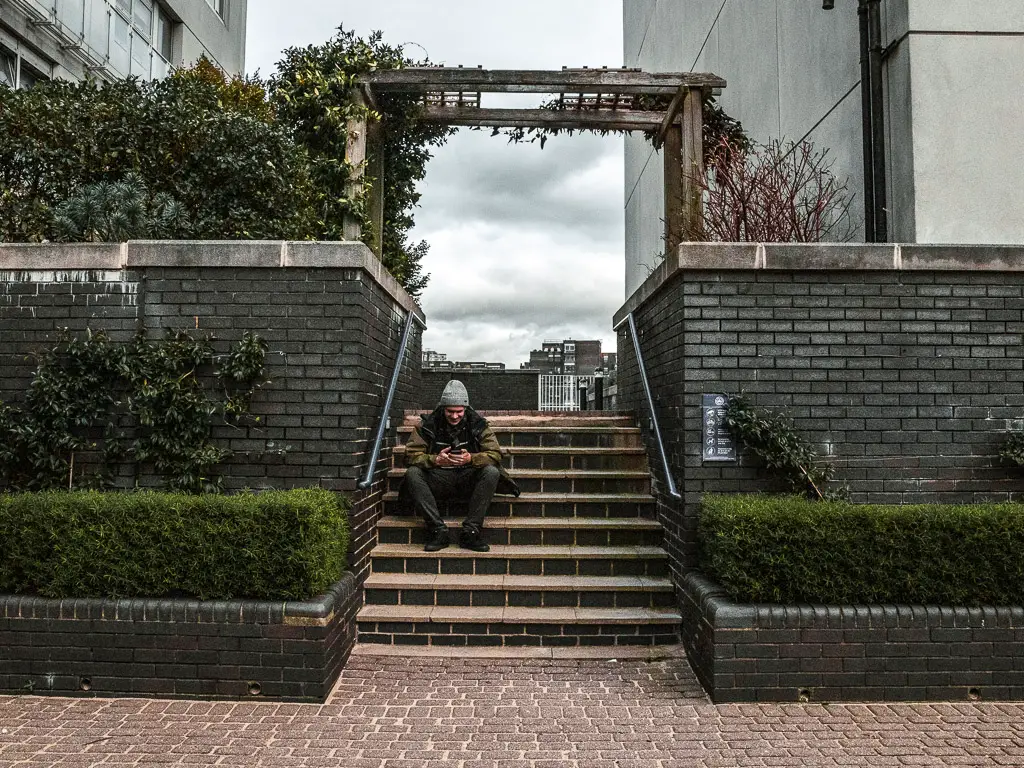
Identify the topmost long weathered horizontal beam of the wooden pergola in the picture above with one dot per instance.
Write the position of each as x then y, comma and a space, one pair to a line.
609, 82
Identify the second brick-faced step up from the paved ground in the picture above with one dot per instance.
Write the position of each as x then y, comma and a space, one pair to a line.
524, 591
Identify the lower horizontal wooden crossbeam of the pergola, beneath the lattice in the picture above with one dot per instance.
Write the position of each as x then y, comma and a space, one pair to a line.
619, 120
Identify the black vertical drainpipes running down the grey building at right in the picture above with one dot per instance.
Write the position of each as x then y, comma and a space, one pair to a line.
873, 120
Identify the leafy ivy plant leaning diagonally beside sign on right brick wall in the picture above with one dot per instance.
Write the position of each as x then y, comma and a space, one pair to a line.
773, 438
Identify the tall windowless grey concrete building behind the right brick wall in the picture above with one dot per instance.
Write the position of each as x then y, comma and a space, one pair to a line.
953, 108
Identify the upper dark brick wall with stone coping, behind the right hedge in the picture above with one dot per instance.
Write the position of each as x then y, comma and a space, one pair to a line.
907, 379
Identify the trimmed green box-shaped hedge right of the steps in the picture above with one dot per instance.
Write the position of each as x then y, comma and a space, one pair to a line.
792, 550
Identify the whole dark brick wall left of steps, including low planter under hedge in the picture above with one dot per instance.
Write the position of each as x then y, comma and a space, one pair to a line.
333, 318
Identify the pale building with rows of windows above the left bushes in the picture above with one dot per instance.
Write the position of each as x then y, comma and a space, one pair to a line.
112, 39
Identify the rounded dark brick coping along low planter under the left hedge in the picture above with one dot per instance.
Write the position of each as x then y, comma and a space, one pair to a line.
318, 612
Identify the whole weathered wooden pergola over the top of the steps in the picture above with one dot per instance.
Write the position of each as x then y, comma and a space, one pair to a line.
587, 99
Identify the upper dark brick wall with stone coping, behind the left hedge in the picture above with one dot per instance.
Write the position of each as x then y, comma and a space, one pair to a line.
333, 334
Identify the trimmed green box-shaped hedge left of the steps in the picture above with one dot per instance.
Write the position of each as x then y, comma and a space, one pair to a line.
275, 545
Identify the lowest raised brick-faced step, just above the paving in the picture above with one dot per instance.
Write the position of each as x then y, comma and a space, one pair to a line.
435, 625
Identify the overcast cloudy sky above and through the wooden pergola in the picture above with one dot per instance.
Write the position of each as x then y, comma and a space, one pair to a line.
526, 244
